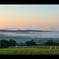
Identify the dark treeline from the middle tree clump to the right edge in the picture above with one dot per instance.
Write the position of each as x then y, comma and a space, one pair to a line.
48, 43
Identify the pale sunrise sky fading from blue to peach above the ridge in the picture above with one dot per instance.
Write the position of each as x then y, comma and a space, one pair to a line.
24, 17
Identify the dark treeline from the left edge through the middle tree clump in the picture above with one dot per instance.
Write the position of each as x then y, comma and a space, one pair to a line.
5, 43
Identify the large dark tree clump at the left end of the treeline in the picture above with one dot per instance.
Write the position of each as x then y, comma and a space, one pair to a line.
5, 43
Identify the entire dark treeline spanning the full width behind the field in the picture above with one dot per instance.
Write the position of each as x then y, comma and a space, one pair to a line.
5, 43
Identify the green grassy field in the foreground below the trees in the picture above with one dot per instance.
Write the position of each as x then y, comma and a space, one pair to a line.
32, 50
